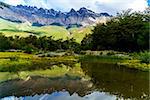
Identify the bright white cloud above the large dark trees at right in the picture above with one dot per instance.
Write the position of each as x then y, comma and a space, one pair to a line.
119, 5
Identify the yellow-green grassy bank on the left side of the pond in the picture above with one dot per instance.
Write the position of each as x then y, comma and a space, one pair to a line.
17, 61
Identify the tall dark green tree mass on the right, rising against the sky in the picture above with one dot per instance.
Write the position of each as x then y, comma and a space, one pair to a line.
126, 32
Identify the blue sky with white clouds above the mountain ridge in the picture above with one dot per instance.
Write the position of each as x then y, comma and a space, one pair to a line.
109, 6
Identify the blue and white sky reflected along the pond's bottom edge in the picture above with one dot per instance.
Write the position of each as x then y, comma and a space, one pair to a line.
66, 96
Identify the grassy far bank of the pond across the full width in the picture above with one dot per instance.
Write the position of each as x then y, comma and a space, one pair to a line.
18, 61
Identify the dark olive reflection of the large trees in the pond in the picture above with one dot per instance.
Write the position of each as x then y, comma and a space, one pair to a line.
121, 81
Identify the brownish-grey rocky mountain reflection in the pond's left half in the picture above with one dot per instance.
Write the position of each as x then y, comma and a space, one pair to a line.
38, 85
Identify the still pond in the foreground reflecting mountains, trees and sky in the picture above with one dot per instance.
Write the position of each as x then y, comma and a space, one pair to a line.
80, 81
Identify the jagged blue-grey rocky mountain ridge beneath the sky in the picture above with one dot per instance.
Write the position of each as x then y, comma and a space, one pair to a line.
49, 16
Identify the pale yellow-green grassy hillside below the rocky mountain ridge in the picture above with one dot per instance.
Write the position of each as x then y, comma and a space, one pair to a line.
57, 32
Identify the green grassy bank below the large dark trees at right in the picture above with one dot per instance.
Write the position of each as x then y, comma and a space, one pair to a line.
131, 60
